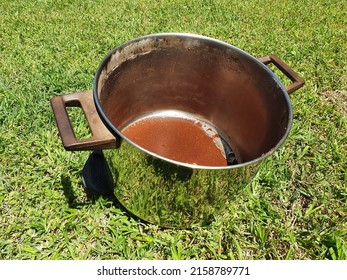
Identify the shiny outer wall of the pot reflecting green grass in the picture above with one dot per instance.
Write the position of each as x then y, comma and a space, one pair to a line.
172, 195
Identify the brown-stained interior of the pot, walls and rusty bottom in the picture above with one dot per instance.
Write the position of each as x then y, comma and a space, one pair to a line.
206, 83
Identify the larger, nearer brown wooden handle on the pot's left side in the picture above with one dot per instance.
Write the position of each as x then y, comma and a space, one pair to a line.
101, 138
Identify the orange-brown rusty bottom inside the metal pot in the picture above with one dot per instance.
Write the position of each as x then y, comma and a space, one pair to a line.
180, 139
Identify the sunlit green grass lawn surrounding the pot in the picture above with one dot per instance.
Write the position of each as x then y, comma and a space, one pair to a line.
295, 208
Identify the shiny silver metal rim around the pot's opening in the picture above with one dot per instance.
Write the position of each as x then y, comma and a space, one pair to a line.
118, 133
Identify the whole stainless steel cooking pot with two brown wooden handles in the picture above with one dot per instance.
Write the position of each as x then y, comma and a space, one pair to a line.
184, 121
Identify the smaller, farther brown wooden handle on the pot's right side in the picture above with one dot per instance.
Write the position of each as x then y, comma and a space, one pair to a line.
297, 81
